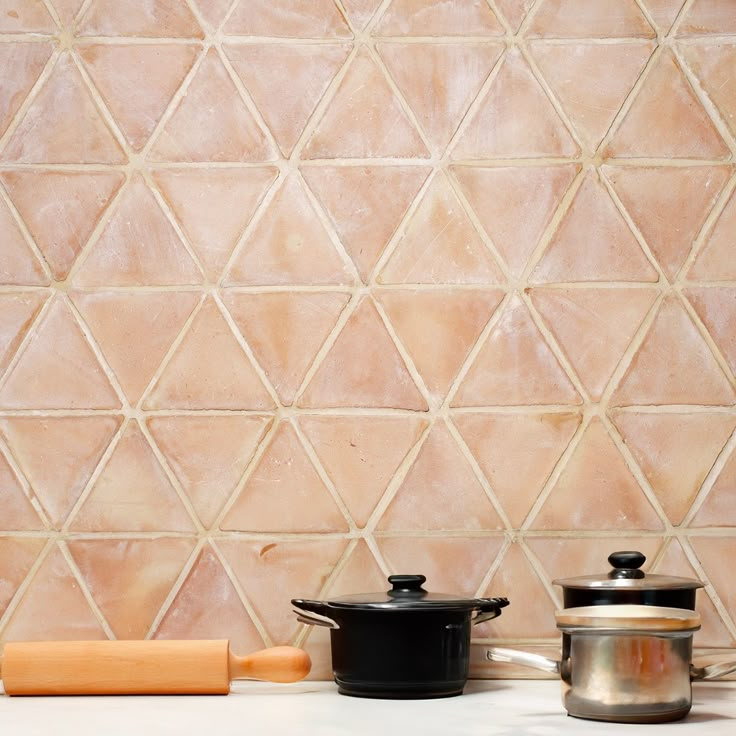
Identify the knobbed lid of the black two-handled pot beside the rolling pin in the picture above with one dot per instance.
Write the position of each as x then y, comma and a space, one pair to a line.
407, 593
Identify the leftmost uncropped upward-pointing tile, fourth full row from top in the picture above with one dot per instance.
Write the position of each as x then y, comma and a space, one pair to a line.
132, 493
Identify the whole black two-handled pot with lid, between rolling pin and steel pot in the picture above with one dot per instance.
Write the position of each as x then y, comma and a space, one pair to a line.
403, 643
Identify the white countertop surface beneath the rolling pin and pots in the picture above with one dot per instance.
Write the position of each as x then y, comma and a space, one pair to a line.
517, 707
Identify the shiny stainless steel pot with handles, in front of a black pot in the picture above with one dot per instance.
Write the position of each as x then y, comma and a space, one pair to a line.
625, 663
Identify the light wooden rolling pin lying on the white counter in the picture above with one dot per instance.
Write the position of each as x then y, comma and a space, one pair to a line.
141, 667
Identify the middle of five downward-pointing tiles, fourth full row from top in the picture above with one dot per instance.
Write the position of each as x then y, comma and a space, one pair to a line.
361, 454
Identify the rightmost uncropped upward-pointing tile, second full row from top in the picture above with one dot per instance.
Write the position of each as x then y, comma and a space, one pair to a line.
593, 242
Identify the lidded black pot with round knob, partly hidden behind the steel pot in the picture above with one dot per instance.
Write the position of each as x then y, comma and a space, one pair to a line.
626, 583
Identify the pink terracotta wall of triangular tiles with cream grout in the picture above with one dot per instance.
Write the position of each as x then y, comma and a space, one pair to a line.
295, 294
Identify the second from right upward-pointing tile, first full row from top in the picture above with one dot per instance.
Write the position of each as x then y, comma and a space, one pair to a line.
515, 119
